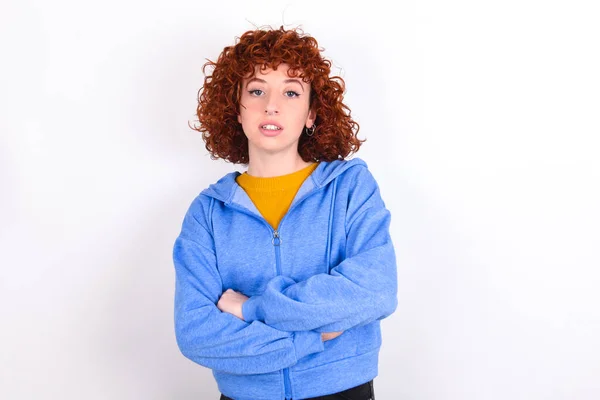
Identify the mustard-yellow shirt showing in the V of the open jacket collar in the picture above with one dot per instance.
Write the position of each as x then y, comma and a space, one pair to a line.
273, 196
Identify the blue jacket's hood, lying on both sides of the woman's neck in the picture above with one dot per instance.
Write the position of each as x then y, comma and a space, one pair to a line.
225, 188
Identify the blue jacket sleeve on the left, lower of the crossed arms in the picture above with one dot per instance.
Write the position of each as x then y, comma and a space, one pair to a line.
219, 340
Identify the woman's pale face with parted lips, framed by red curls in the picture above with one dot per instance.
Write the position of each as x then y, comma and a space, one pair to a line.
274, 109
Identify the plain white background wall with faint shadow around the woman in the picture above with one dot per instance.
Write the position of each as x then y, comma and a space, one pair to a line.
482, 126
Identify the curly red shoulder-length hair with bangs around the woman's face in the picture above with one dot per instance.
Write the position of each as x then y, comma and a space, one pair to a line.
335, 136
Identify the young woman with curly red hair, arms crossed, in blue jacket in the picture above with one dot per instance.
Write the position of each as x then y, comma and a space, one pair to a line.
284, 272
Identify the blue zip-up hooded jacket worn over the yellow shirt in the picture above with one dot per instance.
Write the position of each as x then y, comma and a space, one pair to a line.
330, 266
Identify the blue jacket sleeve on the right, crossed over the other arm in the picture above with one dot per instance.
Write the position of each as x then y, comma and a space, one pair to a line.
360, 289
